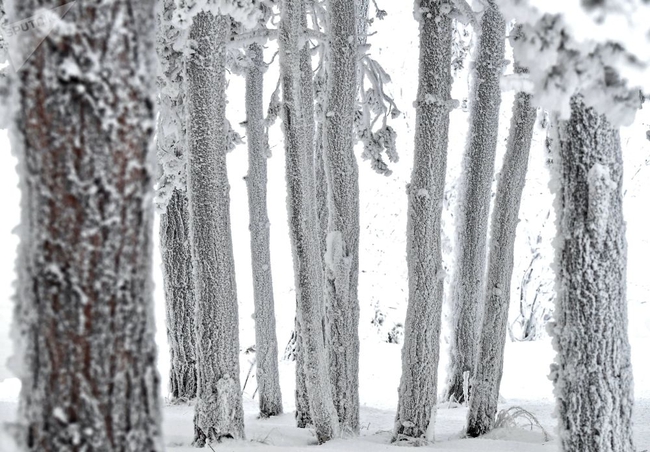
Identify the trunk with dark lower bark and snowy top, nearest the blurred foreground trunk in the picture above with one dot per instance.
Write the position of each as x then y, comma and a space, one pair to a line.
174, 217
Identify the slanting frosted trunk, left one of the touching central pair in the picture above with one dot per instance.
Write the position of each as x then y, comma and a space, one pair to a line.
303, 225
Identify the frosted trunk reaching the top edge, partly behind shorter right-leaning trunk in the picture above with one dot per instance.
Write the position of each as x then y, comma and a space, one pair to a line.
474, 201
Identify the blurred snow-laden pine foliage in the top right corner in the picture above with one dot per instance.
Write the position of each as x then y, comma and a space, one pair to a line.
602, 53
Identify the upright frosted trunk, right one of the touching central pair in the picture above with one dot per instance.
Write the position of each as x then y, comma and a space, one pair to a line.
342, 254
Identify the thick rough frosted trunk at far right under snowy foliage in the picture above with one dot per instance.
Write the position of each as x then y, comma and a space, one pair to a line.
593, 373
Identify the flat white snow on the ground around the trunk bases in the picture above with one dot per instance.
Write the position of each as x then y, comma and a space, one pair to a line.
524, 385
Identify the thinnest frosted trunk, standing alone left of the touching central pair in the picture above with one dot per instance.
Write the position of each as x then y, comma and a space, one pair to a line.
266, 343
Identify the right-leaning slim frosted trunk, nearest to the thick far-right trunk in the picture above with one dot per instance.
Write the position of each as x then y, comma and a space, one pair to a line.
505, 217
